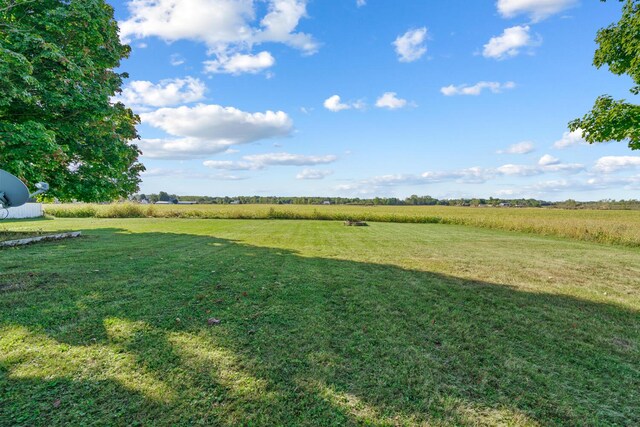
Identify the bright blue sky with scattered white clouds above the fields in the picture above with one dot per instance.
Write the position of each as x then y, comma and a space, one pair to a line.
372, 98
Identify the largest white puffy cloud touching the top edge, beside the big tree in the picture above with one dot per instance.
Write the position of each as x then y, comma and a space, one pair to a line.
227, 27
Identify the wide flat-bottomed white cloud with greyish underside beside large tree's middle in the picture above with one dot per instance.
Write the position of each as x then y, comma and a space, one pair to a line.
207, 129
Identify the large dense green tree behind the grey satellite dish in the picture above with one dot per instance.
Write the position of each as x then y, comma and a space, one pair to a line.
57, 79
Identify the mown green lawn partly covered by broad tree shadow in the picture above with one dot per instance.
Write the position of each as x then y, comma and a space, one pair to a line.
320, 324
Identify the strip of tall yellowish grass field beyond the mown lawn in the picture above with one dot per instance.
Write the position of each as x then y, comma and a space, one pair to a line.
604, 226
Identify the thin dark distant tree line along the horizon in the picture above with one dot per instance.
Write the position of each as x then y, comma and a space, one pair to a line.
412, 200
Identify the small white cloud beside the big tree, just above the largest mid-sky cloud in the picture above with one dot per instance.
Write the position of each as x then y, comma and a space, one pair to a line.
141, 93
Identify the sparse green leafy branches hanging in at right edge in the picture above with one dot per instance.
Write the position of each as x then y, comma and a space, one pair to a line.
619, 49
